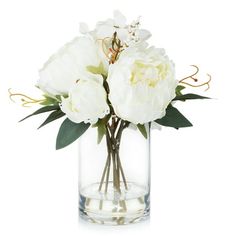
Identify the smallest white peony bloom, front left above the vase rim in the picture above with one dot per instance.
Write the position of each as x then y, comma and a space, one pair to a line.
87, 102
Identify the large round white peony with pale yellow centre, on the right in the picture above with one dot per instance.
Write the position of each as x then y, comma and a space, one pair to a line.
142, 84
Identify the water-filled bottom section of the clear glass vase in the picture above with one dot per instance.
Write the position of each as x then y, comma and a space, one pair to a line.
114, 208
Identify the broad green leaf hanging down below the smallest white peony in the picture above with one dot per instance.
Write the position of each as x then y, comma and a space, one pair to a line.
69, 132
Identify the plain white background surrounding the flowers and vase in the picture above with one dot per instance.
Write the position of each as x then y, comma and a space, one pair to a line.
193, 170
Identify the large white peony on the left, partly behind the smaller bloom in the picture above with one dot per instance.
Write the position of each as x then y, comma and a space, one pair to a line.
68, 65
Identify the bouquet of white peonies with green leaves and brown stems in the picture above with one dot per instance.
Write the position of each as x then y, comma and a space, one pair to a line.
110, 79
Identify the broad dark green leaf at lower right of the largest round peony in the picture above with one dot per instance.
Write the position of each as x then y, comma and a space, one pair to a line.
173, 118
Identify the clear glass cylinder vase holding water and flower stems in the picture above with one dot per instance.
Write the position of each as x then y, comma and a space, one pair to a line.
114, 175
